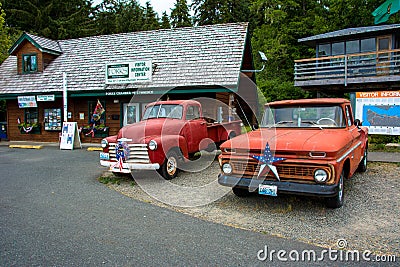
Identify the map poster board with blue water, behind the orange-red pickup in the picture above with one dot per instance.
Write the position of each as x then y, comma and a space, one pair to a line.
379, 111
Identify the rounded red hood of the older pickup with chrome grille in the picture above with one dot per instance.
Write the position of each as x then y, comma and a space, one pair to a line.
139, 131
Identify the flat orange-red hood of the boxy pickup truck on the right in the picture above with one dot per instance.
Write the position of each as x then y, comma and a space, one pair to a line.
289, 140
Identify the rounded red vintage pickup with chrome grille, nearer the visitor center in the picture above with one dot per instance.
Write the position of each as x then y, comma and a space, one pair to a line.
169, 133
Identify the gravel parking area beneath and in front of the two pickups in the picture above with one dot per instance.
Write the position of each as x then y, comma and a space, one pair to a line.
369, 219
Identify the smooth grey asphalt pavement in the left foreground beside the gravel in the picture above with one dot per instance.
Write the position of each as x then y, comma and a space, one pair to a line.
53, 212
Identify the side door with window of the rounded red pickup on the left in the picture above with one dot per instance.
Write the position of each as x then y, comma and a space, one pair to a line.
196, 128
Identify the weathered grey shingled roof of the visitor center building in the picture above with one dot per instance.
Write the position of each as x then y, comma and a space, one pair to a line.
203, 56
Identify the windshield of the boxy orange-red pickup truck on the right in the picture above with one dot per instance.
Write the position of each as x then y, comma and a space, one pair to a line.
304, 117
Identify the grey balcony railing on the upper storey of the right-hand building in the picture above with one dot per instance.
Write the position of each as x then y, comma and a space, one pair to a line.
382, 66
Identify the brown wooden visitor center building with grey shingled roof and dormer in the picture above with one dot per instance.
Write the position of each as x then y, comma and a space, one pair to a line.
104, 82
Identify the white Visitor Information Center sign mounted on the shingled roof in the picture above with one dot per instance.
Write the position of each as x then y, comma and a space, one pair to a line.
129, 72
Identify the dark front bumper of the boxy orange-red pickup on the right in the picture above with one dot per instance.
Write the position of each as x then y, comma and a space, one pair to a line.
319, 190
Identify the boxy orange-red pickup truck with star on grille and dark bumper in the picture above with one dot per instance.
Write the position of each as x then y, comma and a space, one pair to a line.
305, 147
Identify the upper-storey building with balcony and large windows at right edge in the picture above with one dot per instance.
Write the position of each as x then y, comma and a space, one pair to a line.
351, 60
